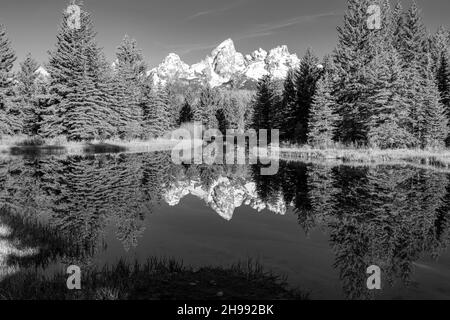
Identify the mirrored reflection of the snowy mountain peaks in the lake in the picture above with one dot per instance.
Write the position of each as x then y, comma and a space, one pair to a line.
223, 196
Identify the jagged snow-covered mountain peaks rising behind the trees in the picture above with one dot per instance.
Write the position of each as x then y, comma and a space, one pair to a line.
227, 67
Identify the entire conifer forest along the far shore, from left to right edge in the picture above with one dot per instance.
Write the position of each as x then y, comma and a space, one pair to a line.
386, 88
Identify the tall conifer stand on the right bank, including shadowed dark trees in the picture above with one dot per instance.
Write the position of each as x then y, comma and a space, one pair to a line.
385, 88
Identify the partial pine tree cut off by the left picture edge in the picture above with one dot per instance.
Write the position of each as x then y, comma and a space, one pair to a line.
10, 117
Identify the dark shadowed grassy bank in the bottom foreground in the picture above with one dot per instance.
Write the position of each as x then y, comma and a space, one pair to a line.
157, 279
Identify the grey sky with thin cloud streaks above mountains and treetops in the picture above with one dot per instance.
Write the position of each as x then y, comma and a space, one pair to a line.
192, 28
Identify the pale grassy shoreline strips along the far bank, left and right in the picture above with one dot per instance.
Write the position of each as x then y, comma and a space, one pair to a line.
337, 154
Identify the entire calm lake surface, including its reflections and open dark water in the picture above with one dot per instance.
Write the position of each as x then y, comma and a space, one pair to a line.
320, 225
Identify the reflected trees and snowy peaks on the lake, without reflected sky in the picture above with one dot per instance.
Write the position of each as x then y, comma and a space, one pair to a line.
390, 216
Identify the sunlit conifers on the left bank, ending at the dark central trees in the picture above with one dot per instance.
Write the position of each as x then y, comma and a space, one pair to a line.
86, 98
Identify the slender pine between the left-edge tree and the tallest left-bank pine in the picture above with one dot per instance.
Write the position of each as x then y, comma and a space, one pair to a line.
27, 89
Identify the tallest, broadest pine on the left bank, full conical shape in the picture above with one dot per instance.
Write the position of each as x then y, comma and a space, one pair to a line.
77, 108
